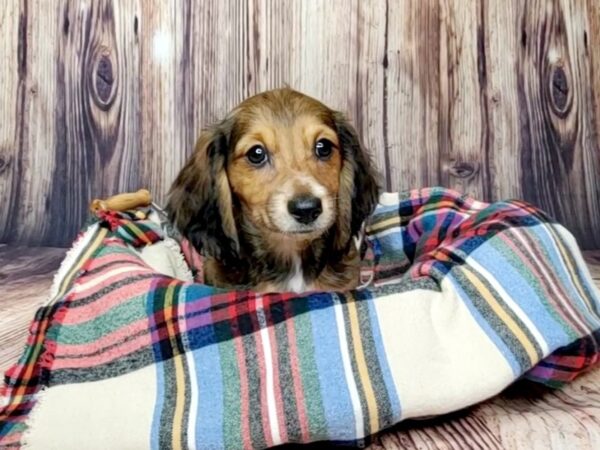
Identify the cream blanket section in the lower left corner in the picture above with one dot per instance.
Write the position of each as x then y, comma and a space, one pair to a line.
119, 419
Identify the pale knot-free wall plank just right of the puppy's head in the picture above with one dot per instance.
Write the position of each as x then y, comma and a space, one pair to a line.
411, 125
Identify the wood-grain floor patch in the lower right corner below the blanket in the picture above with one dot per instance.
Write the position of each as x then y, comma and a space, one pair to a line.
525, 416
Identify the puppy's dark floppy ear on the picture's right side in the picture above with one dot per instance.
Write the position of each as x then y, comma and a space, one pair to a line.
358, 191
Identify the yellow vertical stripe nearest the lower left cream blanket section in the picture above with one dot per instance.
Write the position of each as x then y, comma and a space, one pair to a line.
179, 373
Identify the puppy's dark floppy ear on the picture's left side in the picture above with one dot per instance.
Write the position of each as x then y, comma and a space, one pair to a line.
200, 200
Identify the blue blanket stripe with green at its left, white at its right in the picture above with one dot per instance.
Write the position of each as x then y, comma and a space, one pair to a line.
332, 379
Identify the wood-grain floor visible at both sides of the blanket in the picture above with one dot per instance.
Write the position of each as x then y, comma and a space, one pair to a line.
525, 416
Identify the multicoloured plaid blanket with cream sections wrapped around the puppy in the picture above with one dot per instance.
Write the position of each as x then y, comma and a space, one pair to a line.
463, 299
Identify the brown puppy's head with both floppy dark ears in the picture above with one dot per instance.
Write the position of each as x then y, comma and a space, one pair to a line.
284, 164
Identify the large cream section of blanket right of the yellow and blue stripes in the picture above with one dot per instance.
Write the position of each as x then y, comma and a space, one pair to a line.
463, 358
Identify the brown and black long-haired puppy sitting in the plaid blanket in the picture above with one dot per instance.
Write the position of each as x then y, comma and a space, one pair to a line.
274, 194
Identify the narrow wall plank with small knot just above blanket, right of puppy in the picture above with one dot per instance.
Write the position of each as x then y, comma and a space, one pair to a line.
463, 108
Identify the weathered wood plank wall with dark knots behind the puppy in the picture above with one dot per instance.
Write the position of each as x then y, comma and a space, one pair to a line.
498, 98
